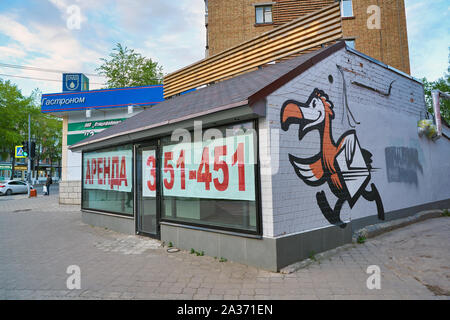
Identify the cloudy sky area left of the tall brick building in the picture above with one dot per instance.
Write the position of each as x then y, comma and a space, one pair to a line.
171, 33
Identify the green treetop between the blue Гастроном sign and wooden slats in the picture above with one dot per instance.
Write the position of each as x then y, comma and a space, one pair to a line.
127, 68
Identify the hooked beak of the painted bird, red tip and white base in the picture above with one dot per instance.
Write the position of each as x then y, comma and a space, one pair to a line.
294, 113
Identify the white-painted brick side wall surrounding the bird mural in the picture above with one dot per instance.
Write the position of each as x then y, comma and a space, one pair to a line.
384, 122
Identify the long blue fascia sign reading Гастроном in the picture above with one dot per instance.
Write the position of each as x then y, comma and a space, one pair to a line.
102, 99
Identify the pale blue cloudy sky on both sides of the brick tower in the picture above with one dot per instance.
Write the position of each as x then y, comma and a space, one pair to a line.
45, 34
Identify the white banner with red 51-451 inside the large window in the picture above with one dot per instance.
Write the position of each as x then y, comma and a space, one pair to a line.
214, 169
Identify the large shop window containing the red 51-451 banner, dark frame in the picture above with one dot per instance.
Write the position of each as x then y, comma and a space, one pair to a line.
212, 183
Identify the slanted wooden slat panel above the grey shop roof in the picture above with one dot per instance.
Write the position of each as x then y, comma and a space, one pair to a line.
305, 33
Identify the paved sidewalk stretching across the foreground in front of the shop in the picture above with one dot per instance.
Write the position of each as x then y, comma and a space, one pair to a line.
40, 239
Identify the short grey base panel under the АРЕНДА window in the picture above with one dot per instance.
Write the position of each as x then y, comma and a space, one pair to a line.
117, 223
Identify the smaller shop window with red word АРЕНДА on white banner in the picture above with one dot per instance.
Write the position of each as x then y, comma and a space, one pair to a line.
108, 180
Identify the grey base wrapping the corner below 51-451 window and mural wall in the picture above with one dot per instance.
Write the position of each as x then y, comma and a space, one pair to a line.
274, 254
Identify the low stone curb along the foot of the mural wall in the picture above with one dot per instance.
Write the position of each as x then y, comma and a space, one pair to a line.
366, 232
